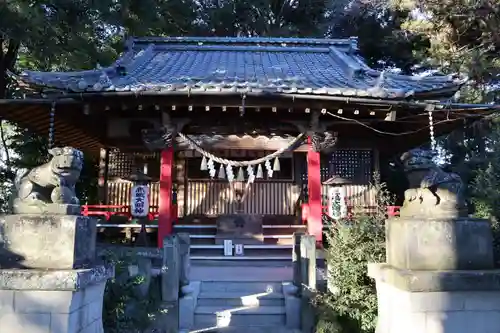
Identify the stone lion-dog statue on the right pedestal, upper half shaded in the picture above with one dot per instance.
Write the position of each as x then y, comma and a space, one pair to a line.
432, 192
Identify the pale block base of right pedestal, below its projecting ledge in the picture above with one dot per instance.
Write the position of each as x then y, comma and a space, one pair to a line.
436, 311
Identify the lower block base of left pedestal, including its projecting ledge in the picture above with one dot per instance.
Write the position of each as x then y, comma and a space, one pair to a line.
33, 301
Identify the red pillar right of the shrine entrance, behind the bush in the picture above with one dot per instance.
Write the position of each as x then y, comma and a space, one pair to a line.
314, 222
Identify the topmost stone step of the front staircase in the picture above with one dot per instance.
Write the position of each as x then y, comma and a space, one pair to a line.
250, 287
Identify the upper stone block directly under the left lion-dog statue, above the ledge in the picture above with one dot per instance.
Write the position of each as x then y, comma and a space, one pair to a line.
47, 241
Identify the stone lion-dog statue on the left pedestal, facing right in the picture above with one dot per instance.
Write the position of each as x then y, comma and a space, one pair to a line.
50, 187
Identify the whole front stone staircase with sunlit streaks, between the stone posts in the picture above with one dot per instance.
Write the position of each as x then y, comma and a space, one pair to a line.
243, 307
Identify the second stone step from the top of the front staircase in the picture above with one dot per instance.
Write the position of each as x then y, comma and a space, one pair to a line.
240, 298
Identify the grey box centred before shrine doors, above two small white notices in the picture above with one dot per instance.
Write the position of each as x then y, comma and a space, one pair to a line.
240, 228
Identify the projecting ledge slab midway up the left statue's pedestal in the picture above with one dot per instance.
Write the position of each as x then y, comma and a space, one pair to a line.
37, 279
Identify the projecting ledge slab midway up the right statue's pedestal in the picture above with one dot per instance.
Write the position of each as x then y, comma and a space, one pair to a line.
436, 281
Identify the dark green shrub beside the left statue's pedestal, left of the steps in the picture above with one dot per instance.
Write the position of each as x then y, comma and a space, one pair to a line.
125, 308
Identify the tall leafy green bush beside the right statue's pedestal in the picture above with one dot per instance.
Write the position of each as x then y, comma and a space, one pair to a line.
350, 306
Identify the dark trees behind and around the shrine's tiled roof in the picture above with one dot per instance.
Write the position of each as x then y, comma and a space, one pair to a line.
404, 35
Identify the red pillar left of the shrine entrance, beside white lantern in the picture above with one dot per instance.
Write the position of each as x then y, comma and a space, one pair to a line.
165, 226
